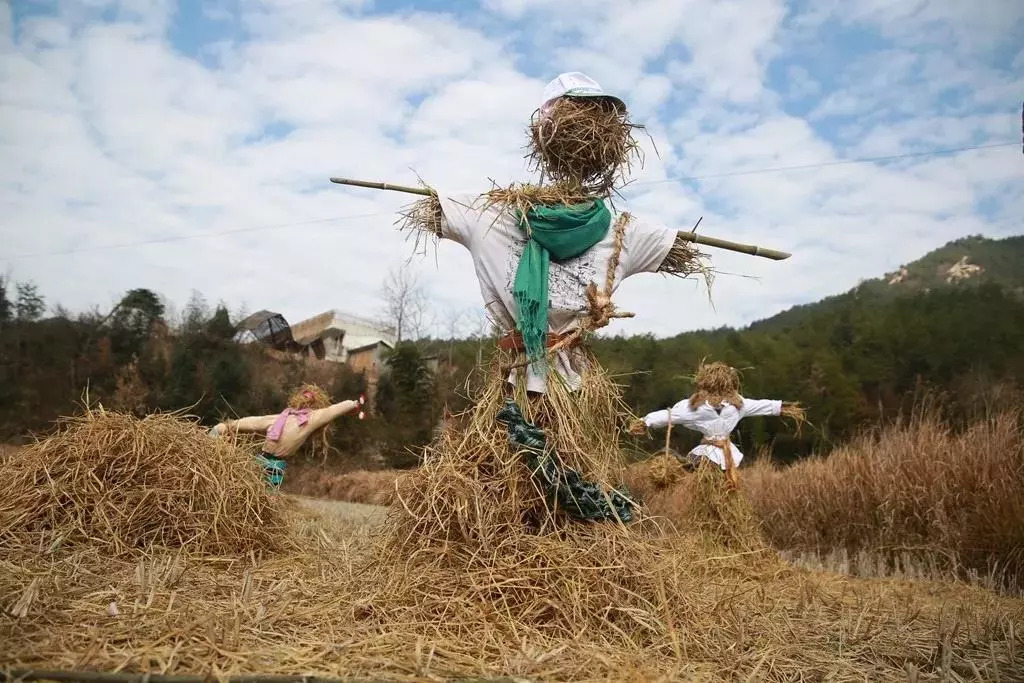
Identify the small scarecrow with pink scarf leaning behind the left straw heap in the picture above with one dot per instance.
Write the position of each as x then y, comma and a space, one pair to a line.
309, 415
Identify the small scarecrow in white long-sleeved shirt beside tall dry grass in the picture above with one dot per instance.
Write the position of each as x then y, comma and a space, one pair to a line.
715, 410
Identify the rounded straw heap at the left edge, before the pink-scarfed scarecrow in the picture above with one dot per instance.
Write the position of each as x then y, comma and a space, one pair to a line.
120, 483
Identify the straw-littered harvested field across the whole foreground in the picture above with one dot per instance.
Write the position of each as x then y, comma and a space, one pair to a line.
581, 603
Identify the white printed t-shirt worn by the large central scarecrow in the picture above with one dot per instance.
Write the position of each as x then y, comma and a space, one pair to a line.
496, 242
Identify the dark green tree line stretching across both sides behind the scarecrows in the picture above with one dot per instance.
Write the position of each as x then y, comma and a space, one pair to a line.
854, 361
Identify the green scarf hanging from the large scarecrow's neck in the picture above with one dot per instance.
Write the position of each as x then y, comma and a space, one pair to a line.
558, 233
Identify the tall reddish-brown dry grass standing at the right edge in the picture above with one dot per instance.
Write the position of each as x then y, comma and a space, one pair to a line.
916, 487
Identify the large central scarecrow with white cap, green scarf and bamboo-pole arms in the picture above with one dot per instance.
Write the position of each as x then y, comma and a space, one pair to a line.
549, 259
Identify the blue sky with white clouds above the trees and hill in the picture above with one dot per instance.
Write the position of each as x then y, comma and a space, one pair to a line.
206, 131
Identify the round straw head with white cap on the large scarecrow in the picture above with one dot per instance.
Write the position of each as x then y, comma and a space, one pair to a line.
581, 137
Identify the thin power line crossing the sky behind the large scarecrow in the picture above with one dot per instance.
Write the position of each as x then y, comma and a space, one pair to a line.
775, 169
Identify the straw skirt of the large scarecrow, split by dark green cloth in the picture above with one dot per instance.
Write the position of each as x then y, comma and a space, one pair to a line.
474, 487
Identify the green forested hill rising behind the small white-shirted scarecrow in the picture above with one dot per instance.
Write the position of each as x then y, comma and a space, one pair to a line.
953, 321
